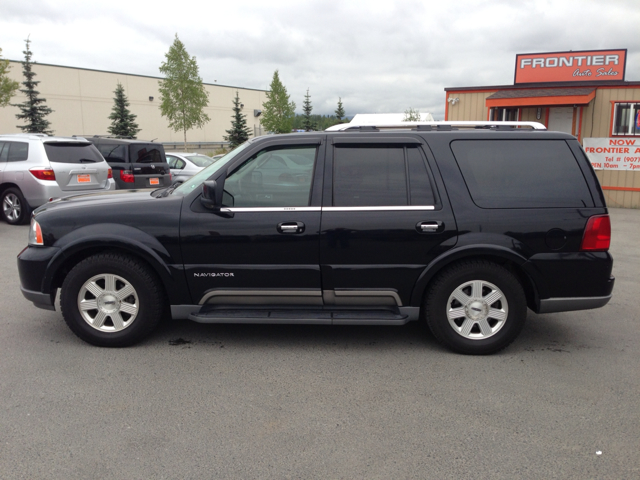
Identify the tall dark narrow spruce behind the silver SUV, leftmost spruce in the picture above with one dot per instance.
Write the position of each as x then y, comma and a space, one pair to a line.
33, 108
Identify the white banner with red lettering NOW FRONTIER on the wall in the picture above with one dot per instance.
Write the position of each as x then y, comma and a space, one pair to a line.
613, 153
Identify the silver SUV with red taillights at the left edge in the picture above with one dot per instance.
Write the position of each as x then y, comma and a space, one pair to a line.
35, 168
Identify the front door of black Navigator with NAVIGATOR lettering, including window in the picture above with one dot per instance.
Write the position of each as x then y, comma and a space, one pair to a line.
262, 247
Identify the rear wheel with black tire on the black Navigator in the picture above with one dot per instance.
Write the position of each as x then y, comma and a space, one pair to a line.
476, 307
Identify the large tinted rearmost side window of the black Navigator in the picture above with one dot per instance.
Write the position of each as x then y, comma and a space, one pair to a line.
521, 173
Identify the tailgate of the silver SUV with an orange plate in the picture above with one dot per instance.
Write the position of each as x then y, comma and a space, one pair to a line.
78, 166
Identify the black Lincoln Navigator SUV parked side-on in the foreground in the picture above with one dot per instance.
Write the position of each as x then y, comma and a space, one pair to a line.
462, 228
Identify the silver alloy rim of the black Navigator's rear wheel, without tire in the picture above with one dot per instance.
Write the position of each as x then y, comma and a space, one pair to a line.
477, 310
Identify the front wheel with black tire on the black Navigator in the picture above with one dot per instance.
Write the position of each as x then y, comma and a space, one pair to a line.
127, 295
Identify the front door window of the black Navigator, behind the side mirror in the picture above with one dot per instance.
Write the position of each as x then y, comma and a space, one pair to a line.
272, 178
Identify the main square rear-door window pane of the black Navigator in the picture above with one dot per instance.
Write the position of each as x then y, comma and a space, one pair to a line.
369, 177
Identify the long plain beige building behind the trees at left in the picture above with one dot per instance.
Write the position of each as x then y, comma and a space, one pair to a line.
82, 100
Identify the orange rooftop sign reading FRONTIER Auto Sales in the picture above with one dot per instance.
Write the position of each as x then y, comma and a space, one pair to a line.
583, 66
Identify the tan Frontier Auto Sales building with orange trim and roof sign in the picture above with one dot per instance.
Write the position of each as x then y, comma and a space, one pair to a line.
581, 93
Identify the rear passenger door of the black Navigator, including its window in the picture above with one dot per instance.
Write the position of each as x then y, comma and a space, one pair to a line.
383, 220
